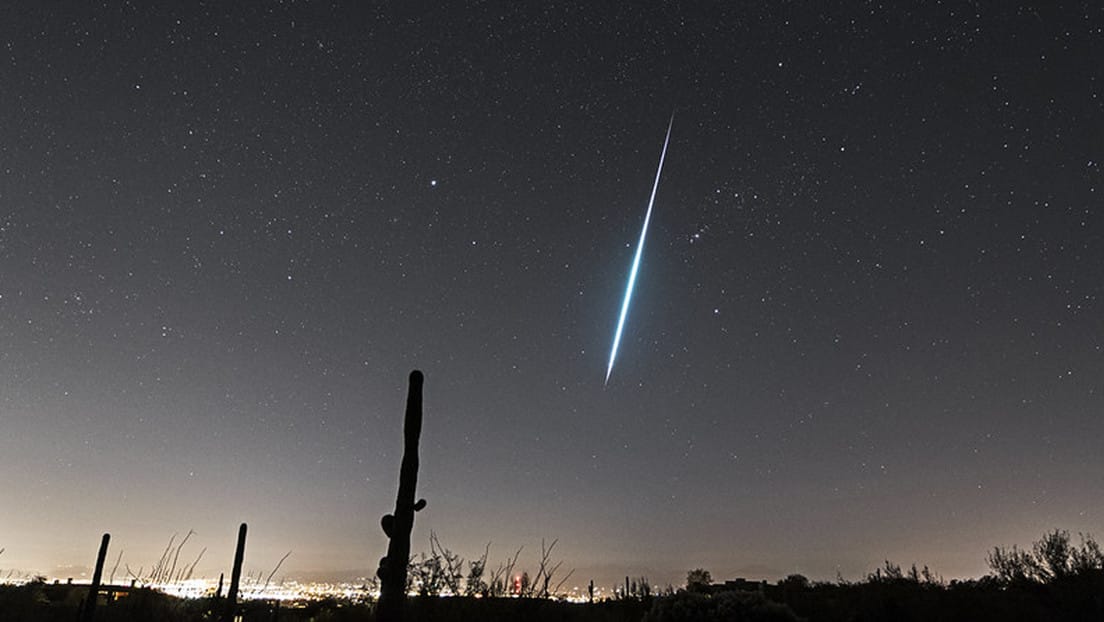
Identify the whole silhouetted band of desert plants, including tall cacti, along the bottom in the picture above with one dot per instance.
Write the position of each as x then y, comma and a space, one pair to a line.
1056, 578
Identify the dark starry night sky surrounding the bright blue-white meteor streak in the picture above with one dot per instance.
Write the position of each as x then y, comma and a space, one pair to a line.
868, 322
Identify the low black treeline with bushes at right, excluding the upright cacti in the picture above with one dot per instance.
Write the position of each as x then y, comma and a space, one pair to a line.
1055, 579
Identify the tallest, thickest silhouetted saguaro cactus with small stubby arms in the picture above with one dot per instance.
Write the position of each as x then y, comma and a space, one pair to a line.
398, 526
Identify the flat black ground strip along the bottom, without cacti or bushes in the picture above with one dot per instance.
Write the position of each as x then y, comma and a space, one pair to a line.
1075, 599
